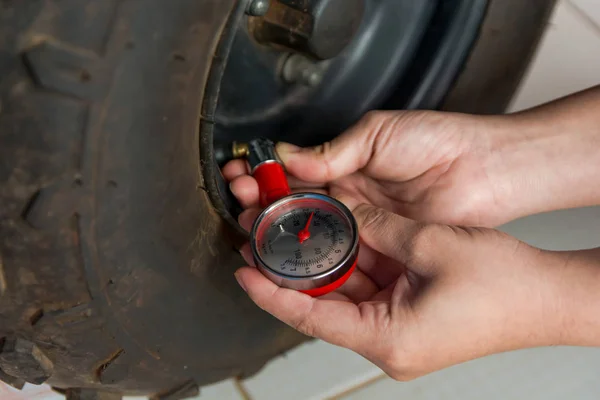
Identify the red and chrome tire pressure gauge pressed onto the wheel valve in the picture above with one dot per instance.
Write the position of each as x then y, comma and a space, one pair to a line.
306, 241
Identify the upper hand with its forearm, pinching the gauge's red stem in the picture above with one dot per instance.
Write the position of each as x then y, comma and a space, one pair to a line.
455, 168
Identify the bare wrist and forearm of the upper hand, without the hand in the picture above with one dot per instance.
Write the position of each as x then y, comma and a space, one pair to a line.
539, 164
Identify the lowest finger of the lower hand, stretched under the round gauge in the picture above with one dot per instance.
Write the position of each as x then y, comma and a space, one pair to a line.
335, 321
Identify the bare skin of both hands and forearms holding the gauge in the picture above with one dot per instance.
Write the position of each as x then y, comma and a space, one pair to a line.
436, 285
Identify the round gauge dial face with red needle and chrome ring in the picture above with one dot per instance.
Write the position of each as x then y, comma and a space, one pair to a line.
304, 236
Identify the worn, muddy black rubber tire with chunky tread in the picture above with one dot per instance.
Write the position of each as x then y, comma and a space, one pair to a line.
116, 273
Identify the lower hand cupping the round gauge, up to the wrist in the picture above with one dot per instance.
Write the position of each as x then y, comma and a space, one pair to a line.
426, 296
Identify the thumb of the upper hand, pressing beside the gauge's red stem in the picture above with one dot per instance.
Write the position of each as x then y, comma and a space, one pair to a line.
344, 155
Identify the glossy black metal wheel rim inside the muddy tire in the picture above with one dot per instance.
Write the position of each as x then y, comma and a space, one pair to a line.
405, 55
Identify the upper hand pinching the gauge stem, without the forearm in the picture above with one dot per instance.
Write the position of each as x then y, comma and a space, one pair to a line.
428, 166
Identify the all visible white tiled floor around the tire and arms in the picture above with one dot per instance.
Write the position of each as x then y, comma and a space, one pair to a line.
567, 61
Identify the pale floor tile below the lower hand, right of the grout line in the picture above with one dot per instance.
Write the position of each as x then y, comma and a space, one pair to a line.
549, 374
